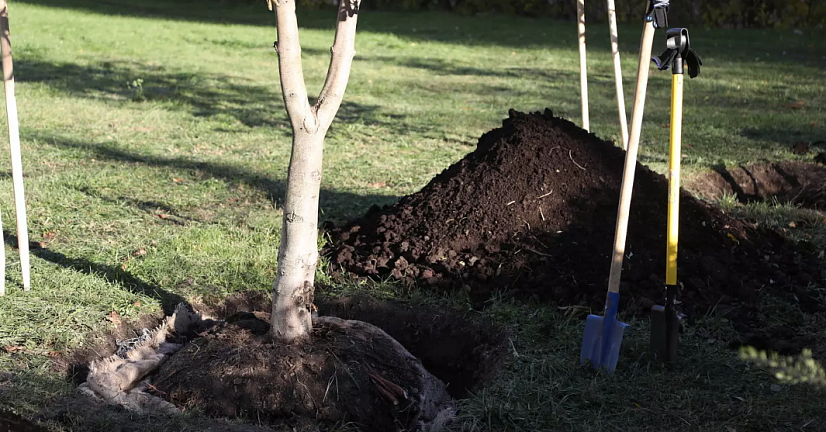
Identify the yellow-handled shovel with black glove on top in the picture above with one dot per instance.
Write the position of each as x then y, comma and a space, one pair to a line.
665, 321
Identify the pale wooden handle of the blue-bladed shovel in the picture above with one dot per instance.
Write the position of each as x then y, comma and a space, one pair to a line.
631, 157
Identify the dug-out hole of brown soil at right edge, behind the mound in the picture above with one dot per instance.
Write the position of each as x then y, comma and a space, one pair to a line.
793, 182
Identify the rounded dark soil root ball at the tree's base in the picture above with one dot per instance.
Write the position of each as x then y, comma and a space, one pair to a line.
342, 374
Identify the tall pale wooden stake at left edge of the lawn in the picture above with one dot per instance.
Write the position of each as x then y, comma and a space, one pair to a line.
14, 146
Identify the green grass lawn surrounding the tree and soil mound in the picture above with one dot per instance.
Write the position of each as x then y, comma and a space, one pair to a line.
156, 144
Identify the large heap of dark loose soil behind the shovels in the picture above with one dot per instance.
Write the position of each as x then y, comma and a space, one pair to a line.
531, 213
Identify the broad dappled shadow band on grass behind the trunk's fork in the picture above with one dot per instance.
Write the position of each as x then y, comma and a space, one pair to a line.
215, 96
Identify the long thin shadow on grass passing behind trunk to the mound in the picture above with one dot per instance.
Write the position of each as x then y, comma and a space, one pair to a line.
335, 205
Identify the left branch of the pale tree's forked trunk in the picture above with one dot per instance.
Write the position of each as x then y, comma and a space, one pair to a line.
302, 117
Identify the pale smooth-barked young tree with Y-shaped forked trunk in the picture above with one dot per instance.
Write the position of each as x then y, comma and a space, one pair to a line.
298, 253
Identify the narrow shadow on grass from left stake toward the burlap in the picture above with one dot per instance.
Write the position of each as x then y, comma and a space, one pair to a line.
112, 274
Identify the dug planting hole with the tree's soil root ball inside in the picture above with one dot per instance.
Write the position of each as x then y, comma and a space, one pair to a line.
230, 369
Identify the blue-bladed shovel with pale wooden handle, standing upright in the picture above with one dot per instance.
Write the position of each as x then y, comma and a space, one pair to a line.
603, 334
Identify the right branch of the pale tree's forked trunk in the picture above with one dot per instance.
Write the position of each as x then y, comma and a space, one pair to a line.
341, 60
